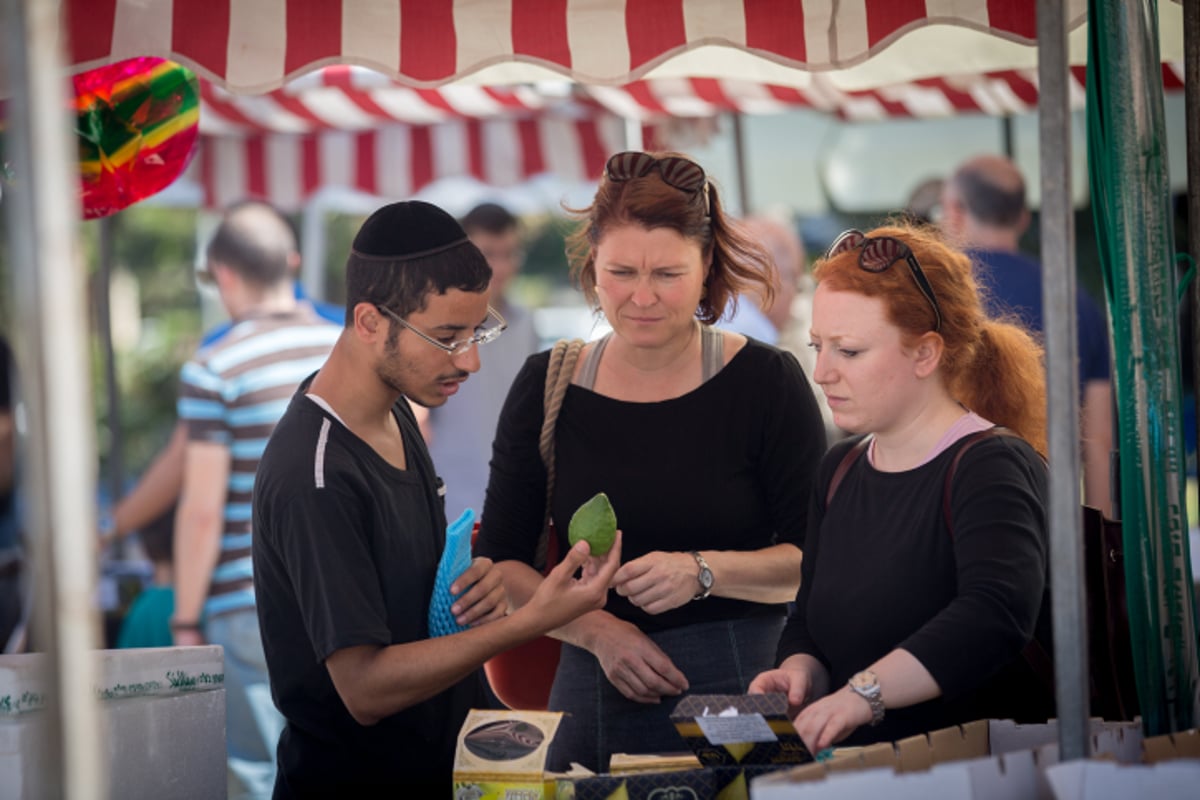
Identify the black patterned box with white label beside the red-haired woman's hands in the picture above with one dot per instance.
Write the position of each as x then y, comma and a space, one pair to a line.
740, 730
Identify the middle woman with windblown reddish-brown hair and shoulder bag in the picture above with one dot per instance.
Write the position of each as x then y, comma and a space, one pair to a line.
706, 443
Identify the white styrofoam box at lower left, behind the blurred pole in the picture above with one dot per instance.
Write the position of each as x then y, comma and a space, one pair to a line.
161, 723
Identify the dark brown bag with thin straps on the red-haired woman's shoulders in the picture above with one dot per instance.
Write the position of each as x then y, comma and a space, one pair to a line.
1113, 687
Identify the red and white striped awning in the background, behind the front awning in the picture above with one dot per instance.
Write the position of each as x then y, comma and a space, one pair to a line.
358, 130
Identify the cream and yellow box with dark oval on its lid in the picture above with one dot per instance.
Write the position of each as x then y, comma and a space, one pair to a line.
502, 756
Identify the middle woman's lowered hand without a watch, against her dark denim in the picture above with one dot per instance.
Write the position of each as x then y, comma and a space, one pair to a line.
635, 665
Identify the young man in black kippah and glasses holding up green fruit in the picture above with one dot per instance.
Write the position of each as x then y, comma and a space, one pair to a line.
350, 527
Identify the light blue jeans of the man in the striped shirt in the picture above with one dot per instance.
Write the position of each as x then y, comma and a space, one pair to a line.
253, 723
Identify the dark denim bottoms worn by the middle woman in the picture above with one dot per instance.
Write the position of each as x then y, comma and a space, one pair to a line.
717, 658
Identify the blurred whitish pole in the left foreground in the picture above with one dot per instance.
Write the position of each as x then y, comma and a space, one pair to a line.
50, 341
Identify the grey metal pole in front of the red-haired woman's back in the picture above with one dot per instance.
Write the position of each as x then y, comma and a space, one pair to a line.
1067, 587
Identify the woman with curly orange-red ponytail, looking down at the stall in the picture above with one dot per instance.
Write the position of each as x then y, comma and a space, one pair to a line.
926, 567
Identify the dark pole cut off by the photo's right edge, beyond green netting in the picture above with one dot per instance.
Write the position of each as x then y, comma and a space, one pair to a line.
1192, 106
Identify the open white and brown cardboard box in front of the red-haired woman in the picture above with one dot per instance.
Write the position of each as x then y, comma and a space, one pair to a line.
998, 760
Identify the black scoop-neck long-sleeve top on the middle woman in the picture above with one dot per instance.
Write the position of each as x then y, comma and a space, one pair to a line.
727, 467
